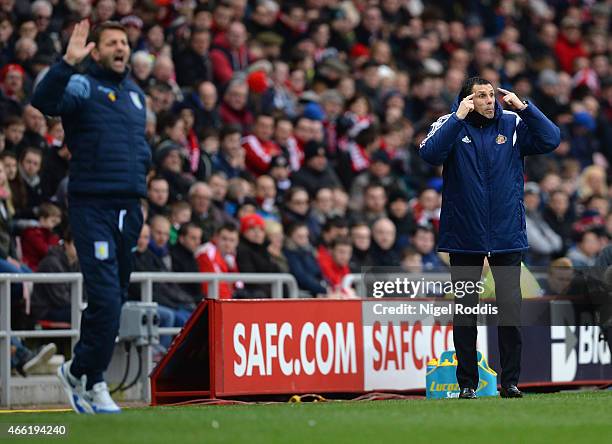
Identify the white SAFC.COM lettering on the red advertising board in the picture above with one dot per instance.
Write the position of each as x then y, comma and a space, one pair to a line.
265, 349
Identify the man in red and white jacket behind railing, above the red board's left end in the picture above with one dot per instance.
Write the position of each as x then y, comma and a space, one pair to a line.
219, 256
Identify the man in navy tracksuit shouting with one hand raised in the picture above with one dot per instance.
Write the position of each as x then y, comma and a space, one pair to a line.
103, 114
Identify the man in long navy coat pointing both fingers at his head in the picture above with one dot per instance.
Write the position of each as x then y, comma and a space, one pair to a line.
481, 147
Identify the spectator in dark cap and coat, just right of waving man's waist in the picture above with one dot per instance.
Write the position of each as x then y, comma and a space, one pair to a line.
169, 164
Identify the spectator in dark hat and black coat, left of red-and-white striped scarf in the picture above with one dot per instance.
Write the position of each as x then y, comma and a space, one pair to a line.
316, 172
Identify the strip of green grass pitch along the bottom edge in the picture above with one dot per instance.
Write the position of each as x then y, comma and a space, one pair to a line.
573, 417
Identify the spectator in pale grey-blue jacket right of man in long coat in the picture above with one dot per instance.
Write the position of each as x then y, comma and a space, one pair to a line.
544, 243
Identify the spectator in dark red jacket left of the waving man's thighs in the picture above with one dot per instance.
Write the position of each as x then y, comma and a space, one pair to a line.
37, 240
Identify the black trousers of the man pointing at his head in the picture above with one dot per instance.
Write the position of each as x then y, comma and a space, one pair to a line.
506, 269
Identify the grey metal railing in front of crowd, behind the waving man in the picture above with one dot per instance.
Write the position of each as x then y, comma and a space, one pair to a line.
146, 280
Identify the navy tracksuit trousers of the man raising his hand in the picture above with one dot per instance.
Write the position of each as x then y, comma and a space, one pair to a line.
105, 233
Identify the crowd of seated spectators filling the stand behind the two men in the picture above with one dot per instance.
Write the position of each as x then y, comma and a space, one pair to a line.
284, 135
